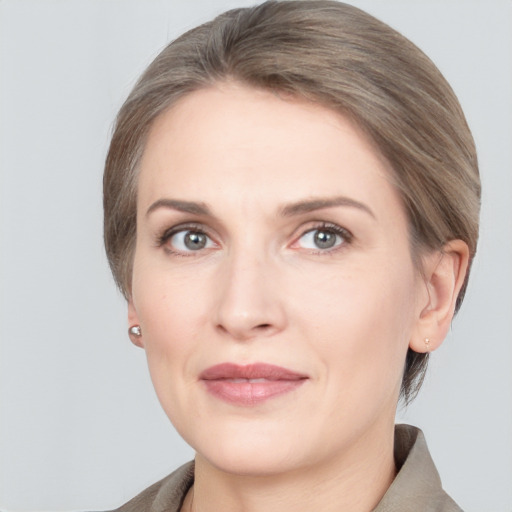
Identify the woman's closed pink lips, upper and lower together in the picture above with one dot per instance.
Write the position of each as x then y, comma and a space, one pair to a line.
250, 384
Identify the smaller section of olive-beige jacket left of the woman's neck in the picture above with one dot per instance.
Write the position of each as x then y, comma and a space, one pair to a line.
166, 495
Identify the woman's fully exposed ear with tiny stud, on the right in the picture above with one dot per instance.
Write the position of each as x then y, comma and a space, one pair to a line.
444, 274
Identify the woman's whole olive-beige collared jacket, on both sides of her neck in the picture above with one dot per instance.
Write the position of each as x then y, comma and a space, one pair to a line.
416, 488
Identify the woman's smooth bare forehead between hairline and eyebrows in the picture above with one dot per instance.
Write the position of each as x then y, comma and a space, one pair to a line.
233, 143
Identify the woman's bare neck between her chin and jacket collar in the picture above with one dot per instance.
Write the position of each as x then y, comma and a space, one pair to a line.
353, 481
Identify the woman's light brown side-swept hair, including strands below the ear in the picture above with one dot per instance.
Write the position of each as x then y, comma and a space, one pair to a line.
343, 58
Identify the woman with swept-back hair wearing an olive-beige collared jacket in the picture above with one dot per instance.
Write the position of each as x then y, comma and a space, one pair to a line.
291, 210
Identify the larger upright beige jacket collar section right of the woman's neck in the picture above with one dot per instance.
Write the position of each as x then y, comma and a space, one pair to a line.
417, 486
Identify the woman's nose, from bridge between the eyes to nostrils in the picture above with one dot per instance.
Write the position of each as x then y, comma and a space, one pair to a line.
249, 301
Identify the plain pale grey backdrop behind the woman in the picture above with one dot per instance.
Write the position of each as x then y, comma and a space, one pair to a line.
80, 427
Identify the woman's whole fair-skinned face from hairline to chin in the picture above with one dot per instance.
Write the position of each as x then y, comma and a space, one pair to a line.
273, 281
